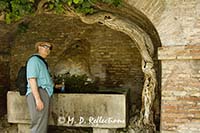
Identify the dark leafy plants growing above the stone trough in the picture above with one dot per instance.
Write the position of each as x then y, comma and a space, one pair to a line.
77, 83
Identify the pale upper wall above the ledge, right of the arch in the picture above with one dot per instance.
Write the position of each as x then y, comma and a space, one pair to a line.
177, 21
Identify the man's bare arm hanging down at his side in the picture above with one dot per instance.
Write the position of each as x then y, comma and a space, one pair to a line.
36, 95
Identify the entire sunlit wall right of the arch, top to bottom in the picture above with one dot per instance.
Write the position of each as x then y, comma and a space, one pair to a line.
177, 23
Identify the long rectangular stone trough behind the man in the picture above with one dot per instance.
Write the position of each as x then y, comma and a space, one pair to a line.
103, 111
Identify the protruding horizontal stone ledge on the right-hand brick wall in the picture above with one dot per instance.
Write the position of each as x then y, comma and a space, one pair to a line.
181, 52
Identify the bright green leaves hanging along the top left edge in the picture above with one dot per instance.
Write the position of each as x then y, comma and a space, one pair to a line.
16, 9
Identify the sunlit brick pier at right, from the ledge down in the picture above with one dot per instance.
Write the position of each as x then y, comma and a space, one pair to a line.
180, 104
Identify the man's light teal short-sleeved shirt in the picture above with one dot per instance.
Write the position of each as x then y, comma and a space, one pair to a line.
36, 68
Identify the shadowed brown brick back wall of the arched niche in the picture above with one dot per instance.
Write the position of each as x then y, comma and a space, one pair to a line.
94, 50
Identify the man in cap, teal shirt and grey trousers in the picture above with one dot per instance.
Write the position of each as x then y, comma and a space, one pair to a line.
39, 88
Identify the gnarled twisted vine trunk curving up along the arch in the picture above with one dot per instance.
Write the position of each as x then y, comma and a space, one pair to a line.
145, 45
